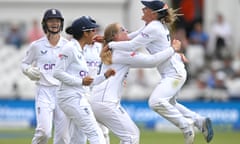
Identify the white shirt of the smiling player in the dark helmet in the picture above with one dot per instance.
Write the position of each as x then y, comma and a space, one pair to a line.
44, 56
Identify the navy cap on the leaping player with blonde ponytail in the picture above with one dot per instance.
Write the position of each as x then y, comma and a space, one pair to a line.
155, 4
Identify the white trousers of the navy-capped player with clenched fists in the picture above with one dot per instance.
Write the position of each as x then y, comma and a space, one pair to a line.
79, 111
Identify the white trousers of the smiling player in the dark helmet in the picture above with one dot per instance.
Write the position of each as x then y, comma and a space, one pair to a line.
48, 113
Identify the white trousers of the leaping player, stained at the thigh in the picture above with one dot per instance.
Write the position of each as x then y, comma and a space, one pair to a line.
163, 101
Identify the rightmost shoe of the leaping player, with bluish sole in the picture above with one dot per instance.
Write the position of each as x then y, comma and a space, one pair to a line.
207, 130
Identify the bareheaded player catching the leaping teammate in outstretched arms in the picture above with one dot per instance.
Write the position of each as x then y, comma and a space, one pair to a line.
106, 97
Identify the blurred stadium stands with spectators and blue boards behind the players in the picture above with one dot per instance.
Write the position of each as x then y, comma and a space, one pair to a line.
212, 89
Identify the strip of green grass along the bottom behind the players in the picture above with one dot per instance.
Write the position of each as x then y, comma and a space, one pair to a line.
147, 137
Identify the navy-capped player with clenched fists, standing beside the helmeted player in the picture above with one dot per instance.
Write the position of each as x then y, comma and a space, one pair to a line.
72, 70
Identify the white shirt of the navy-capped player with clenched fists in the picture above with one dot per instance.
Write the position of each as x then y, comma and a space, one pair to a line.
71, 68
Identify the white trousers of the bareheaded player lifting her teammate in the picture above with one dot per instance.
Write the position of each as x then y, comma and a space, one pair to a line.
117, 120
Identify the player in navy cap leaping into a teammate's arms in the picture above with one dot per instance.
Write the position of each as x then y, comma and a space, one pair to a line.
155, 36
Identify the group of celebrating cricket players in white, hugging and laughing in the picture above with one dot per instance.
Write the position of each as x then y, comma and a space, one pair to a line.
80, 81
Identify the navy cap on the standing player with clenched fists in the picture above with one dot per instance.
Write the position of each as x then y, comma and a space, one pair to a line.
81, 24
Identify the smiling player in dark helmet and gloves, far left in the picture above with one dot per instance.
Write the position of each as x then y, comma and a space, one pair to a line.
38, 65
